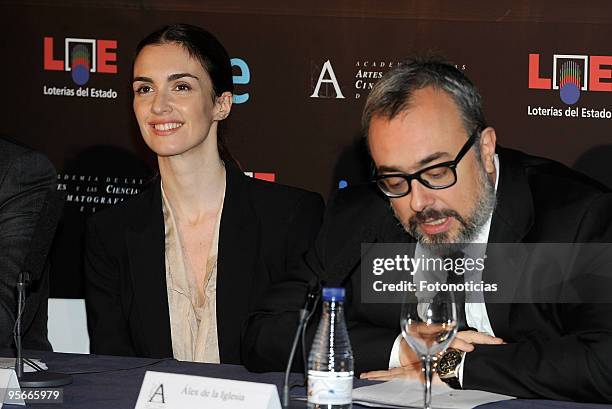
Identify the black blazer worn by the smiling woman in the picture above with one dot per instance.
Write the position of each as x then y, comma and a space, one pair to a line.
265, 229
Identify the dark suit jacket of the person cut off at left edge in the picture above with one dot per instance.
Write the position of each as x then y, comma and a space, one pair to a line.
26, 177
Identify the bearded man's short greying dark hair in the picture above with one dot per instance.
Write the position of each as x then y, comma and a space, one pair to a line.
393, 93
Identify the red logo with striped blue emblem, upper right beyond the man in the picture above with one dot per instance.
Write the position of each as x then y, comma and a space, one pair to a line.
573, 74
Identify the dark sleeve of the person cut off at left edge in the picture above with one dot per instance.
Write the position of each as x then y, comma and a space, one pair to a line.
22, 195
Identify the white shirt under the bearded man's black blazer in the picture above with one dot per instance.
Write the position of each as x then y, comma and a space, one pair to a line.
475, 313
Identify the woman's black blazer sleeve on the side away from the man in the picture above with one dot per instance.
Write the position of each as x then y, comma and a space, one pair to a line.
107, 324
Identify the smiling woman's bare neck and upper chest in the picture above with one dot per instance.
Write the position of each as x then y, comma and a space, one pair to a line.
194, 184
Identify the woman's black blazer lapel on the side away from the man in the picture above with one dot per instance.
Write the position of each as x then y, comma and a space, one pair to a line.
146, 255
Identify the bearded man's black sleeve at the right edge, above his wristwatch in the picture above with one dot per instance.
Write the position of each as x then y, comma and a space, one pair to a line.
576, 366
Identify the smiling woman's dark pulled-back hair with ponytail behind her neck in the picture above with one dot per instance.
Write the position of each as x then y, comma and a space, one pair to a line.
204, 47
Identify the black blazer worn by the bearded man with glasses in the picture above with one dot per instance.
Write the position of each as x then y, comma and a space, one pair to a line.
555, 351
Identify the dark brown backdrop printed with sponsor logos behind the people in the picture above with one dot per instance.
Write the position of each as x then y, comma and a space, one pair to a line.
302, 75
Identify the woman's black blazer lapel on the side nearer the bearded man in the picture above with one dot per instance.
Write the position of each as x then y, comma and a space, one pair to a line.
239, 239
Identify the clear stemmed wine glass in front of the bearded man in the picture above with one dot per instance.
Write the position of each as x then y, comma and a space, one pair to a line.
429, 325
